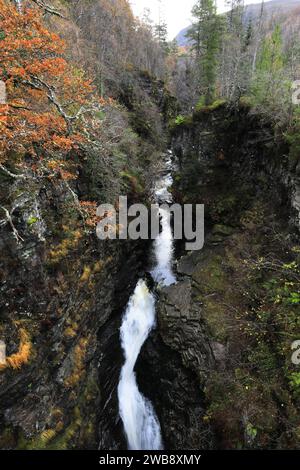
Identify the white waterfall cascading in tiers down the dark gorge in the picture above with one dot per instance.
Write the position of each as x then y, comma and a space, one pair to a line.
141, 424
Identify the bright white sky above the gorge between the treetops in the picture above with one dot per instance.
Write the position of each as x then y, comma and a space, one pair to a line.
176, 12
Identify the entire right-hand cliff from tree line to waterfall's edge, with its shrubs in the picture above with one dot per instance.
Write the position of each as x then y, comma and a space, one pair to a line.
218, 368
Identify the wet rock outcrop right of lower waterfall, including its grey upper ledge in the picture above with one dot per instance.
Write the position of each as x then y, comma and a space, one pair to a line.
176, 361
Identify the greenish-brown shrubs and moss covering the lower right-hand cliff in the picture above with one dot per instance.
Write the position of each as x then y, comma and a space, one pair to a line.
248, 286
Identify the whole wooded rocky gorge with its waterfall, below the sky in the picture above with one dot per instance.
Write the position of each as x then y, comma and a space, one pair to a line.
142, 344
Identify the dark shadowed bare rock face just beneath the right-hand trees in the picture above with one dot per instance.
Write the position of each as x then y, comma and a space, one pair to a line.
226, 147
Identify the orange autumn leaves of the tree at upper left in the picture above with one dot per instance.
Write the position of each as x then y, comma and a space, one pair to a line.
47, 97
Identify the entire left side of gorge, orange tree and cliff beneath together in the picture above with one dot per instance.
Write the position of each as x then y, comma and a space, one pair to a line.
83, 121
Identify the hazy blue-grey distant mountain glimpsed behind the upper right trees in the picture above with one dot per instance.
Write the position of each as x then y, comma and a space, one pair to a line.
252, 11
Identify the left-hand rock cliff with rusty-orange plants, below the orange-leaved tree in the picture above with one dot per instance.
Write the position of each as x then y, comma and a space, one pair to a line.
62, 295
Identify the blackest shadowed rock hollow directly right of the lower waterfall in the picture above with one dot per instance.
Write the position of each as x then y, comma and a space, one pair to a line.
176, 394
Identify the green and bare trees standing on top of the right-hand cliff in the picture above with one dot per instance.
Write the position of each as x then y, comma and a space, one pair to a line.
245, 60
